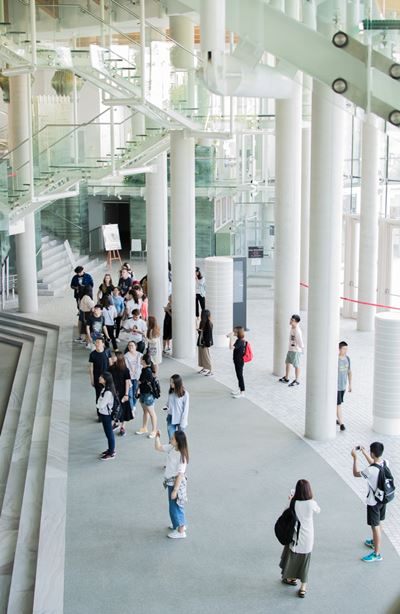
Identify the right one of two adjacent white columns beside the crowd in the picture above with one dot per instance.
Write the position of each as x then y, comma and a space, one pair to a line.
183, 241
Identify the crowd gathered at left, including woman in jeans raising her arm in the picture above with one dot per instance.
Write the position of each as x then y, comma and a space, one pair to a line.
120, 378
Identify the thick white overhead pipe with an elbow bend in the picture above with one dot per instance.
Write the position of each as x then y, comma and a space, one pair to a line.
228, 75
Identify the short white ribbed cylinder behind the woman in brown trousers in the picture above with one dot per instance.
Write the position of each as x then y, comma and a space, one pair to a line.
219, 276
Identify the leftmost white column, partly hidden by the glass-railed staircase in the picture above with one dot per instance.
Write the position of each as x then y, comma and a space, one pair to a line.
19, 130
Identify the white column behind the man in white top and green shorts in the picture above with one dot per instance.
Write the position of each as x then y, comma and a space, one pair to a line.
287, 221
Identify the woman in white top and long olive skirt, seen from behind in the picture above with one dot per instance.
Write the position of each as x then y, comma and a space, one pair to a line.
296, 557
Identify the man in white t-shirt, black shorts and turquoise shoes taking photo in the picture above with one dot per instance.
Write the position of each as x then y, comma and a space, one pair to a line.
375, 509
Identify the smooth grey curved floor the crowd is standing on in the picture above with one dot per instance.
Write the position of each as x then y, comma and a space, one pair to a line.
243, 465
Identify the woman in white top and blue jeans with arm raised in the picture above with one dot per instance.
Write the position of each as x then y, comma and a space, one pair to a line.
175, 480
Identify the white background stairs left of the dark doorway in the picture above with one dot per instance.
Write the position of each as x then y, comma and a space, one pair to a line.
57, 270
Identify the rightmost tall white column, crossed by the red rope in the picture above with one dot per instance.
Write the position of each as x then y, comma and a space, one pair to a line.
369, 231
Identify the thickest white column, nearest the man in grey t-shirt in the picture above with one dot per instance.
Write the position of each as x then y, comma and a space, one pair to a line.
327, 146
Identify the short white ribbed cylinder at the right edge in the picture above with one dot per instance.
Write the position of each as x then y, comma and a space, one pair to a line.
386, 404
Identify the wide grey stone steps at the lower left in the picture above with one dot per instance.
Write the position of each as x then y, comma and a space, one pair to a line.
33, 467
